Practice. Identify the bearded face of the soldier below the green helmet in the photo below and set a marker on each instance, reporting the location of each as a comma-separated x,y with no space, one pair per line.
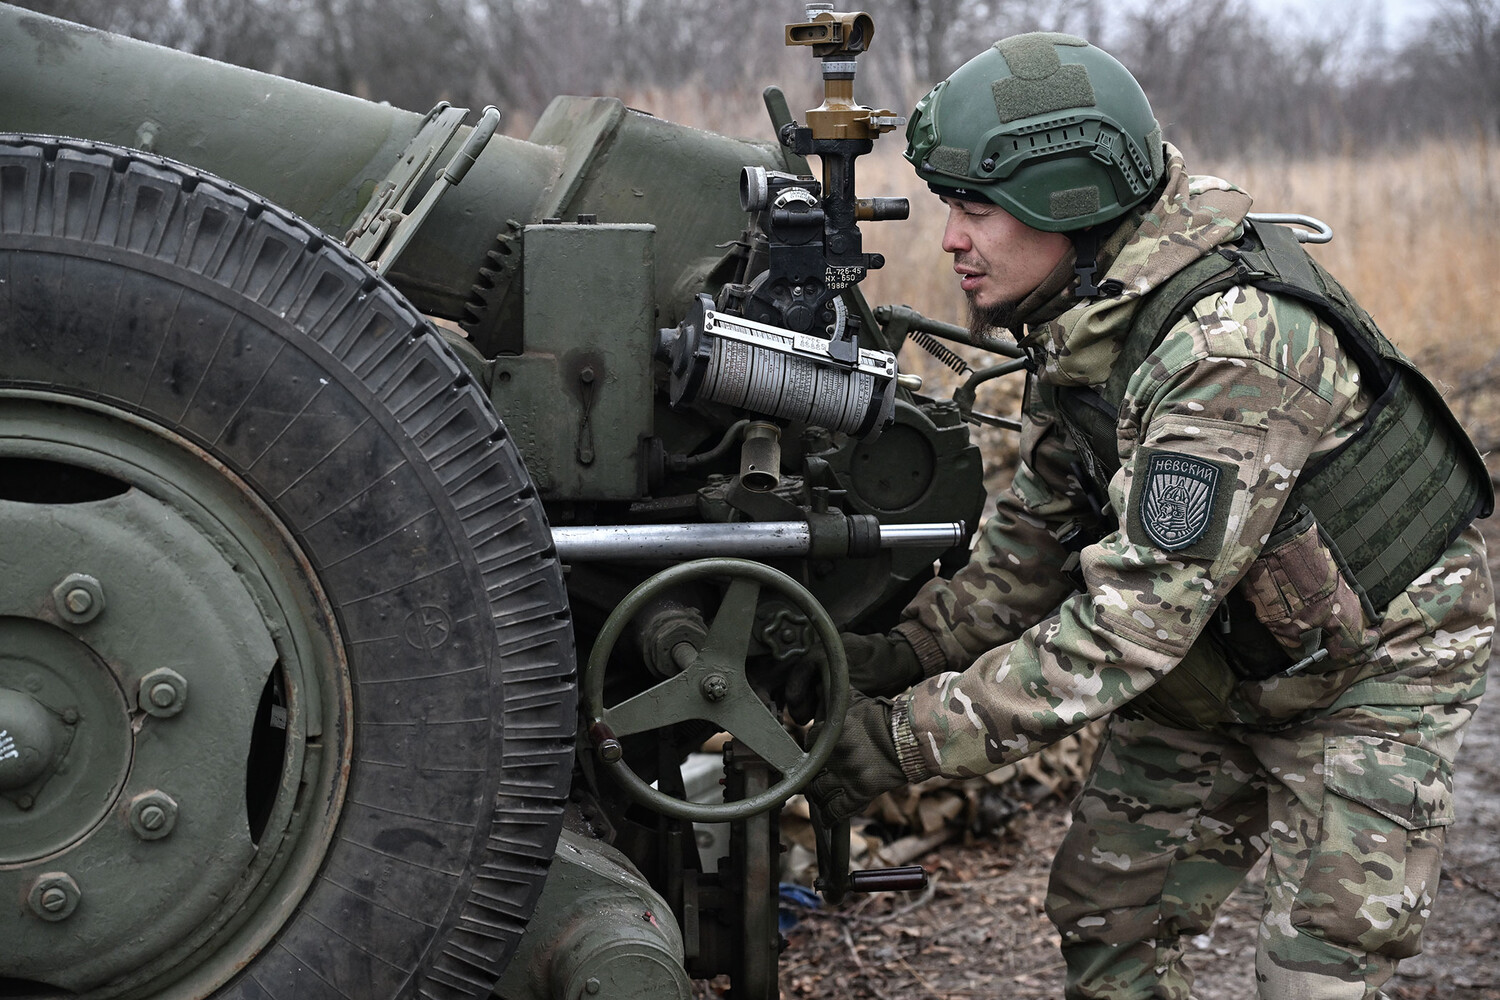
1000,260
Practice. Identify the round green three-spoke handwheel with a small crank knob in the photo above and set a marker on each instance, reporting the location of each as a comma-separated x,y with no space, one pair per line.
713,687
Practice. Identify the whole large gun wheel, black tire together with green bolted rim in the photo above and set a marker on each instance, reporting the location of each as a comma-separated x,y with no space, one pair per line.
287,684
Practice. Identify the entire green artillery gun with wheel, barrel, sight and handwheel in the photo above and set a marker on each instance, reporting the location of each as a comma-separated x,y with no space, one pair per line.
389,507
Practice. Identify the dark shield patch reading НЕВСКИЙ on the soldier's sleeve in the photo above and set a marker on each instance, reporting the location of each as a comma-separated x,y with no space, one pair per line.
1180,501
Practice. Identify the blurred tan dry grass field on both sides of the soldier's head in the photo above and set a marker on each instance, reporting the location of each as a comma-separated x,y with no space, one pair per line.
1415,239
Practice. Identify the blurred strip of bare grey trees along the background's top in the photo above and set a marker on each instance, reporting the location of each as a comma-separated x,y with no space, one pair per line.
1219,73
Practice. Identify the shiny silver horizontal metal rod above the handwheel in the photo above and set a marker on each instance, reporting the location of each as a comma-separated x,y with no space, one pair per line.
740,539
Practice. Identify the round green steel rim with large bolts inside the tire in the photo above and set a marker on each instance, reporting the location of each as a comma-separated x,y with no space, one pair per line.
166,654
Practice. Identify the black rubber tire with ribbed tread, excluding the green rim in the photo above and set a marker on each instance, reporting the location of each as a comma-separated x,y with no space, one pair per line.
196,305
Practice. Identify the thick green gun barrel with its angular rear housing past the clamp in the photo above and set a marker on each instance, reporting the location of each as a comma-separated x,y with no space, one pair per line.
323,154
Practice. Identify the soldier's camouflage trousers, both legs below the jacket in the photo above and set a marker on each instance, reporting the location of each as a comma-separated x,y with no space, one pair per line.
1351,806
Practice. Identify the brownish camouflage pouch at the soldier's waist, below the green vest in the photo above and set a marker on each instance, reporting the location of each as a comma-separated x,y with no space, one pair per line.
1300,594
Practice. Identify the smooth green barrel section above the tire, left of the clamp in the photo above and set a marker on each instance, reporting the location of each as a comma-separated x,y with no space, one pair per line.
265,133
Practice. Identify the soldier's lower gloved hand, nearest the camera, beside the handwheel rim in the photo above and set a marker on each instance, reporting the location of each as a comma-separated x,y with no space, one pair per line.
863,764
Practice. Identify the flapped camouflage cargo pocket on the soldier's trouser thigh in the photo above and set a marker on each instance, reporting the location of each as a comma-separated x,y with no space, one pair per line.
1373,872
